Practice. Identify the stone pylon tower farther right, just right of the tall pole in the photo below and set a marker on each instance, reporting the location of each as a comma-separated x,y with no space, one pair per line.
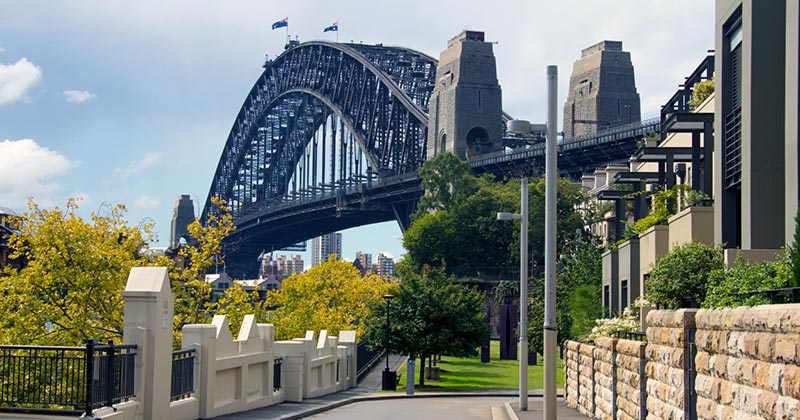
602,91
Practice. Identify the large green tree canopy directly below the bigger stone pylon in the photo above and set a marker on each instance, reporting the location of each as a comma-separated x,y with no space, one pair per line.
456,221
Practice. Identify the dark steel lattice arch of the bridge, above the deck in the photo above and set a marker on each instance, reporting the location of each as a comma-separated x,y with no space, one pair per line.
374,97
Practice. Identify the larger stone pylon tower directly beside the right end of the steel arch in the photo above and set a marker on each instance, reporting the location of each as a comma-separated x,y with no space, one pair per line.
466,116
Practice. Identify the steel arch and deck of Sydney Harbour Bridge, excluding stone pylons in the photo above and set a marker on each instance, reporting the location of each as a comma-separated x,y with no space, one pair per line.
331,135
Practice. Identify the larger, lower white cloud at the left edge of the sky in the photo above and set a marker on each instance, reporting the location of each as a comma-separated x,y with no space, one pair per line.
28,170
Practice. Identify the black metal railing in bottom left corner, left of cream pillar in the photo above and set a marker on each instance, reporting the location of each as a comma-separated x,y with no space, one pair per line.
65,379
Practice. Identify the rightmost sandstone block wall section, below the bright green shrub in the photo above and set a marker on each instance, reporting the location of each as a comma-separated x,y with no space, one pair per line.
748,362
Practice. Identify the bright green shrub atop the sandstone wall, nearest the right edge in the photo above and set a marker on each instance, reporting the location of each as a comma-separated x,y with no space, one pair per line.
728,288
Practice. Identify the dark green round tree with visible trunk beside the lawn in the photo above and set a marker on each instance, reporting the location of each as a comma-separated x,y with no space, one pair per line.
429,315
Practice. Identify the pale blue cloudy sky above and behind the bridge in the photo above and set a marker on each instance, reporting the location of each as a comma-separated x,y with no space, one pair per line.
131,101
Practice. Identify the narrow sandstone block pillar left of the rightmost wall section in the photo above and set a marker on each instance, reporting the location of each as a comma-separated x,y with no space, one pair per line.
666,369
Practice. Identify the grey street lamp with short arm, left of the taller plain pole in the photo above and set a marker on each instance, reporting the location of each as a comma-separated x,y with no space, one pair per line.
523,290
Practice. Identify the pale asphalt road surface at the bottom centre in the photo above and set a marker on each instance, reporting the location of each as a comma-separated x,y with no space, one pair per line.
478,408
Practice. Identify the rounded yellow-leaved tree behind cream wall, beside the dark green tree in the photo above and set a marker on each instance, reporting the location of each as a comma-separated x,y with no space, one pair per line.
332,296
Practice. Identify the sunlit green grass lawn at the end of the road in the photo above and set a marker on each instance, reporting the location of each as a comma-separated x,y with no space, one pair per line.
469,374
